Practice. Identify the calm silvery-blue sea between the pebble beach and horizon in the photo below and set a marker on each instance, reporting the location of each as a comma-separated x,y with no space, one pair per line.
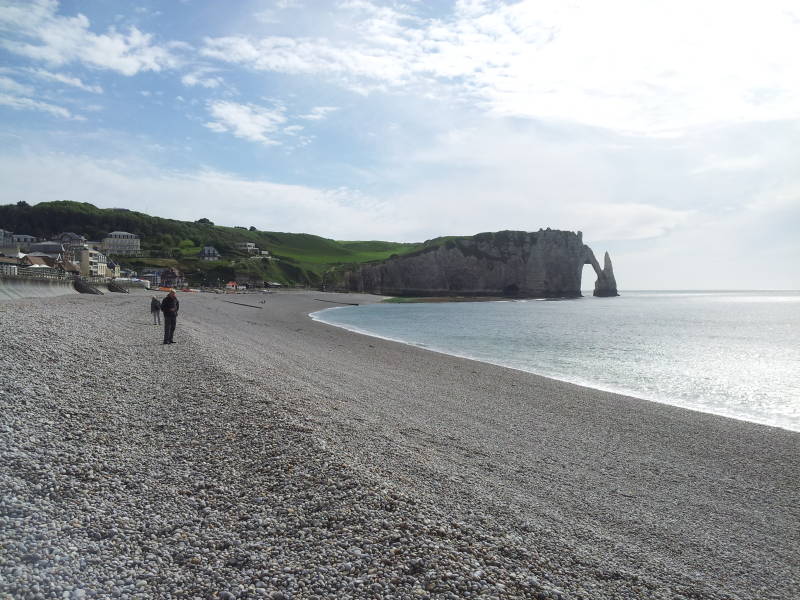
735,354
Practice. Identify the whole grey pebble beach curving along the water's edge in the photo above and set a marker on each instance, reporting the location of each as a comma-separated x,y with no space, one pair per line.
266,455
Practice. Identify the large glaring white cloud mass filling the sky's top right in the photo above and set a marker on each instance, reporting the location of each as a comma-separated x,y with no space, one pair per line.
648,68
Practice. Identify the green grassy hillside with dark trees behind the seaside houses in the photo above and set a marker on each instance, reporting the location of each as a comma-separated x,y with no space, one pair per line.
298,258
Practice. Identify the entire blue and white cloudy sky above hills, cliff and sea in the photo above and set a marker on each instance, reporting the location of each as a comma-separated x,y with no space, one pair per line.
667,132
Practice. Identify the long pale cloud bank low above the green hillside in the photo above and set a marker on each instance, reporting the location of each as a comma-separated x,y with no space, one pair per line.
221,197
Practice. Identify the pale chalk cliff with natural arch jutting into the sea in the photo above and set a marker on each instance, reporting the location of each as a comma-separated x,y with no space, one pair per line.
543,264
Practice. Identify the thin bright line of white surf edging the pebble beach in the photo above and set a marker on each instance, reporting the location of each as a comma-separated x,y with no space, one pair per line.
579,382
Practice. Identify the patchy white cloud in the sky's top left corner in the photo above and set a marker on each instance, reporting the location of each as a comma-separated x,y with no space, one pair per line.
60,40
